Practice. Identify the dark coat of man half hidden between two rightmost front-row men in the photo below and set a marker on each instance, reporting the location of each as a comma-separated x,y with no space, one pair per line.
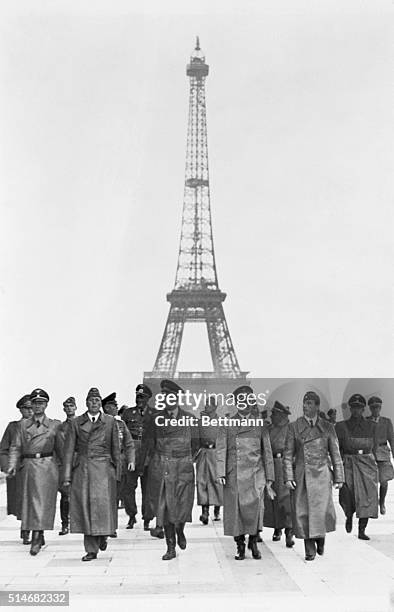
277,512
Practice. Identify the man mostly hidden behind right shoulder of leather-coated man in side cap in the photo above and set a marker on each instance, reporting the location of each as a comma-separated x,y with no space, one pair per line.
126,443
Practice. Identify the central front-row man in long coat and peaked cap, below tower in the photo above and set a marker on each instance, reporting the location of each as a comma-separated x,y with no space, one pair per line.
173,447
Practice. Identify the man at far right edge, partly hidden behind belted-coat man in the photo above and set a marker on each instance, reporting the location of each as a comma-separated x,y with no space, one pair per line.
385,434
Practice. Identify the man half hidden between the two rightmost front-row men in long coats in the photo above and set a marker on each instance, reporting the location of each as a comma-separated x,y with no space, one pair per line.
277,512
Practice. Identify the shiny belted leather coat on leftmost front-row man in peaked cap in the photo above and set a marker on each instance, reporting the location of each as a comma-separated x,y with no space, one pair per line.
39,476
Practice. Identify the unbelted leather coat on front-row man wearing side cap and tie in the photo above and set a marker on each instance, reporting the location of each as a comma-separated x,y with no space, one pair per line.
93,494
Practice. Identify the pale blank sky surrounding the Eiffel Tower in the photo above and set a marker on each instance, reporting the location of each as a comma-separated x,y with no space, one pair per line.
93,120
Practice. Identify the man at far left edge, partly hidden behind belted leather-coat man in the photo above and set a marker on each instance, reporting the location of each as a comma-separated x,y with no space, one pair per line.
14,483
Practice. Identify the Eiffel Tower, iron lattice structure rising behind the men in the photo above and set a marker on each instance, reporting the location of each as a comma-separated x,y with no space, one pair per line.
196,295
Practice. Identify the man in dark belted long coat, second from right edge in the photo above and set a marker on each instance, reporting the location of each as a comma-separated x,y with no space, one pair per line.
358,443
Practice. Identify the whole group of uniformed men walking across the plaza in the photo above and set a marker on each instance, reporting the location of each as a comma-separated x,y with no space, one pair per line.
279,475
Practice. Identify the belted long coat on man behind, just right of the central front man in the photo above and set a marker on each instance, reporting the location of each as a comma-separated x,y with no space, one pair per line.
209,489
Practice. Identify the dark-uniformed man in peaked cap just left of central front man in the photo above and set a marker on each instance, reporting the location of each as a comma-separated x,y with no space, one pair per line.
136,420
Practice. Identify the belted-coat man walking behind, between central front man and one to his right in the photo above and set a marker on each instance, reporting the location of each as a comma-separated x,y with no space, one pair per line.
209,489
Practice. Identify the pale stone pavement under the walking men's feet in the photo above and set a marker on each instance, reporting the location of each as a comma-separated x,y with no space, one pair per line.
352,576
